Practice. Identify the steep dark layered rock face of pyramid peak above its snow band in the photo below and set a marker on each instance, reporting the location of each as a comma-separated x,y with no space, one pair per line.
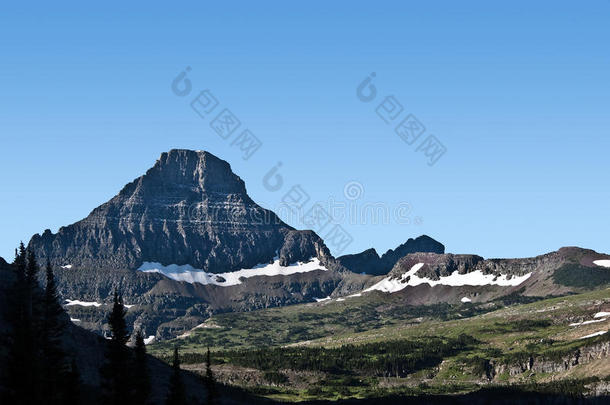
189,208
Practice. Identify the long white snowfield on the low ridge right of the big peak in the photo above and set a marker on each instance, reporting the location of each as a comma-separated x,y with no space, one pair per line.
475,278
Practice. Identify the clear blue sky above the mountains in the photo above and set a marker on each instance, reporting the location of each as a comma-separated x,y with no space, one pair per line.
517,92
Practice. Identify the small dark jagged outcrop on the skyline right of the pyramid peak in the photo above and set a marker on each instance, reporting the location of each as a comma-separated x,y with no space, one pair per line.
369,261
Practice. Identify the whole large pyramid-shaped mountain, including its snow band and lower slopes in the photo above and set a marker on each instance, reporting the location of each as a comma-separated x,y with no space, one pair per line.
191,213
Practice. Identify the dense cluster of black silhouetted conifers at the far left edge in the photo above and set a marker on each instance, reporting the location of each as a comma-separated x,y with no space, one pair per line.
38,370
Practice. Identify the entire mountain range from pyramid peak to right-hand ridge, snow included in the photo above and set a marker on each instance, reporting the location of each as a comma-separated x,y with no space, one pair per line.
184,241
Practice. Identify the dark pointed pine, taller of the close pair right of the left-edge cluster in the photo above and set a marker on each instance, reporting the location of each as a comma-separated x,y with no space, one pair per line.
115,371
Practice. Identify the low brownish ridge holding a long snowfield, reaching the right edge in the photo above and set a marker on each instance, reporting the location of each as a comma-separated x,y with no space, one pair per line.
426,277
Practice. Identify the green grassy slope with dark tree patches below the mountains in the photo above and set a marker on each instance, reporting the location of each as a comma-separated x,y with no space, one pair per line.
373,346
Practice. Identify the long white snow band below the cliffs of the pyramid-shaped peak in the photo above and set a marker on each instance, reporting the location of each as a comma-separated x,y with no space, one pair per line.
191,275
